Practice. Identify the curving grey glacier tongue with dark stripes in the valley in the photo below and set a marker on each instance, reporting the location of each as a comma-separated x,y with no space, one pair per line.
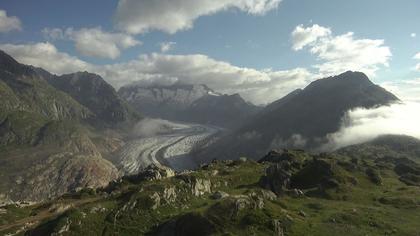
172,148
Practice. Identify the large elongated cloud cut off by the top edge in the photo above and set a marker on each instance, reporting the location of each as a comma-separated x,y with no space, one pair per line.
140,16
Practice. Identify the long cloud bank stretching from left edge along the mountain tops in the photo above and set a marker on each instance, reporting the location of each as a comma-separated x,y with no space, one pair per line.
257,86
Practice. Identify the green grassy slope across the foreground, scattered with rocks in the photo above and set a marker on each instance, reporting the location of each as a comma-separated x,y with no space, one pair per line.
362,208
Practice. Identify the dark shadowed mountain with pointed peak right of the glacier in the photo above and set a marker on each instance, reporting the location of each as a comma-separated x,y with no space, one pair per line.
303,118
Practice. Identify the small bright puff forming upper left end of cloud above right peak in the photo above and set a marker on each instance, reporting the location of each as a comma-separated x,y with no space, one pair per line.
302,37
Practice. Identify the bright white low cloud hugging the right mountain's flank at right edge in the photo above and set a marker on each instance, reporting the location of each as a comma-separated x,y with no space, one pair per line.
361,125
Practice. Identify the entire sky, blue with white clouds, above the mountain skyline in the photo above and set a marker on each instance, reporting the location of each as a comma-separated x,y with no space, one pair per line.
262,49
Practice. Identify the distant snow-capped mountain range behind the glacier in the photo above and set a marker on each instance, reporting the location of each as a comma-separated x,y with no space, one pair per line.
190,103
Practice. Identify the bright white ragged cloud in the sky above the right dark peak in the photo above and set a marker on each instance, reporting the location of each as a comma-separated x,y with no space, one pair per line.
343,52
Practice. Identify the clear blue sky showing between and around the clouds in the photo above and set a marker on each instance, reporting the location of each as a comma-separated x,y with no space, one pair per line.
231,34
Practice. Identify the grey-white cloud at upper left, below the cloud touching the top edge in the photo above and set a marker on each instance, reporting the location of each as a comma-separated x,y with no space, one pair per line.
94,42
